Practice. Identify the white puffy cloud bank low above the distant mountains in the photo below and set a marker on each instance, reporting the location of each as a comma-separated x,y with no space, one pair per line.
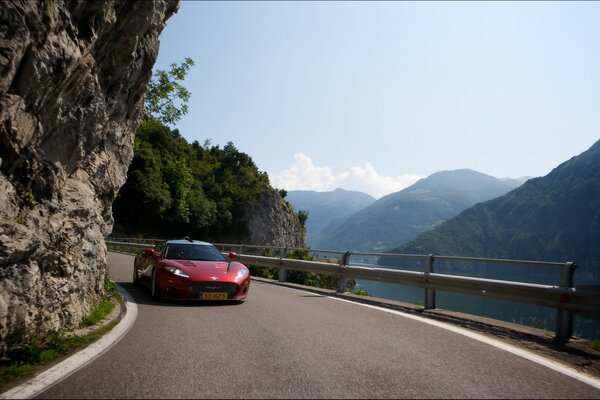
303,174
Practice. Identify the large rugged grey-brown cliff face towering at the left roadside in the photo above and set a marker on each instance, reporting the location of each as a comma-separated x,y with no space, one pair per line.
73,77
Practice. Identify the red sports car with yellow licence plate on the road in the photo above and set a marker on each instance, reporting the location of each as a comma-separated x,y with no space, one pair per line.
191,270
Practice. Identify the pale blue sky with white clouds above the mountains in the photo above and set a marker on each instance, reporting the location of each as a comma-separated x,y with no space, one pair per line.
372,96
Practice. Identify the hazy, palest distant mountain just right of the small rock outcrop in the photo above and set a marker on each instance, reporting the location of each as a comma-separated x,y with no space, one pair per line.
325,207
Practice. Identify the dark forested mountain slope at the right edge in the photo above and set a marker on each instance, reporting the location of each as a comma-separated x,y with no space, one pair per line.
553,218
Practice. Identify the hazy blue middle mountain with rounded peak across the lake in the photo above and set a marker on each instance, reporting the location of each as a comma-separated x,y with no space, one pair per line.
399,217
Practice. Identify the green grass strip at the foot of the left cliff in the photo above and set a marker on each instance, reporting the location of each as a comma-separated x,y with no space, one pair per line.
30,352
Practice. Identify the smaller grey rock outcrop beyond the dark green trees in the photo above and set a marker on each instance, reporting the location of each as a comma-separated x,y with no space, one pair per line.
272,222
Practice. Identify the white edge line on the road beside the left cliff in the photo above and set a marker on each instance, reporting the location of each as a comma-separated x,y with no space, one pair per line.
60,371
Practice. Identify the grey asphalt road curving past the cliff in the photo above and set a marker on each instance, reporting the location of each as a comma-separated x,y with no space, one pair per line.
285,343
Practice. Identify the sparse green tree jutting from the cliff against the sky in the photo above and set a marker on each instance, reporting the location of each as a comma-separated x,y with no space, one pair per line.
166,99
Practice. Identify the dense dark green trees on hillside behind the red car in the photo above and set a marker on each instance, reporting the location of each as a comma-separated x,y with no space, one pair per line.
175,188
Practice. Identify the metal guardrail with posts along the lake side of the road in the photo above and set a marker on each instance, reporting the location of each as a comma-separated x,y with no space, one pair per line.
564,297
